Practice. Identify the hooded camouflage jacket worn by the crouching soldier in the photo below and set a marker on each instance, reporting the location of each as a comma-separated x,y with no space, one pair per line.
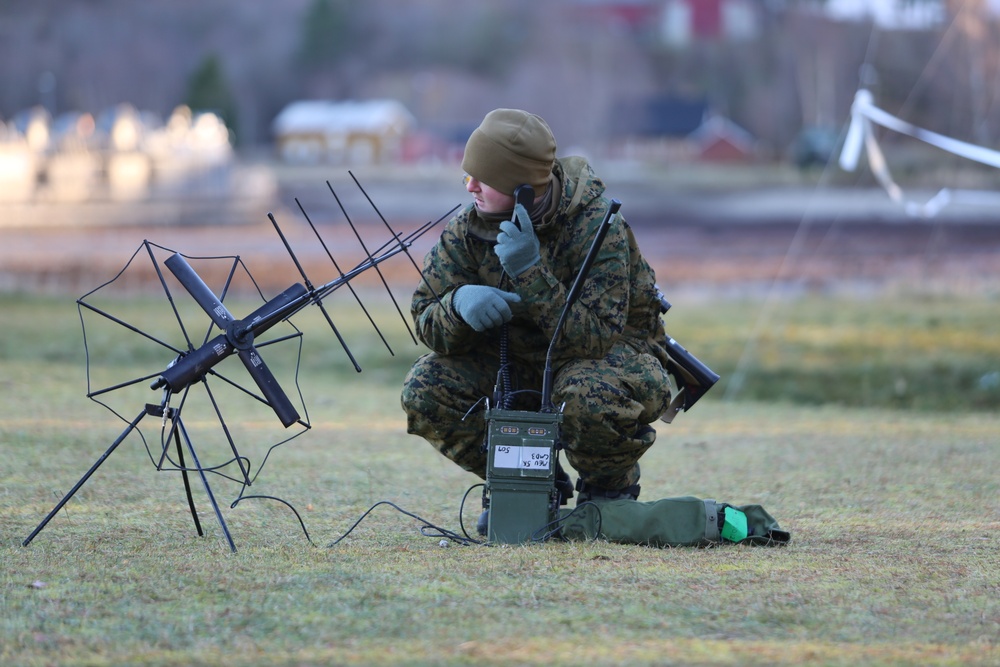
618,301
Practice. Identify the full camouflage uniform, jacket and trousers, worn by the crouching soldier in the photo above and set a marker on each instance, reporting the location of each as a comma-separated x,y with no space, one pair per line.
608,361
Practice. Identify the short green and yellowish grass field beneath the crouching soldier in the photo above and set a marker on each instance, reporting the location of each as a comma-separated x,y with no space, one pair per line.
868,429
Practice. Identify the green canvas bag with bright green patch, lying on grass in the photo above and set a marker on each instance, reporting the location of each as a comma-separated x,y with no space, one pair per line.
671,522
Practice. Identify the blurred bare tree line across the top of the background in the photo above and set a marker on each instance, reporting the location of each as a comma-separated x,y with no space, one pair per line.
576,62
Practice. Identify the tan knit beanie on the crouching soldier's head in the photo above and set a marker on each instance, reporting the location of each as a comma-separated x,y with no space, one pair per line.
511,147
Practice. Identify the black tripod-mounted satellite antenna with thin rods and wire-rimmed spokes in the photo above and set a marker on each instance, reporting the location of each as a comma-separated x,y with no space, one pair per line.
237,336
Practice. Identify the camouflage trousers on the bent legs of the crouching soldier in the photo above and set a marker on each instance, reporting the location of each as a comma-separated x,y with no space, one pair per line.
609,406
